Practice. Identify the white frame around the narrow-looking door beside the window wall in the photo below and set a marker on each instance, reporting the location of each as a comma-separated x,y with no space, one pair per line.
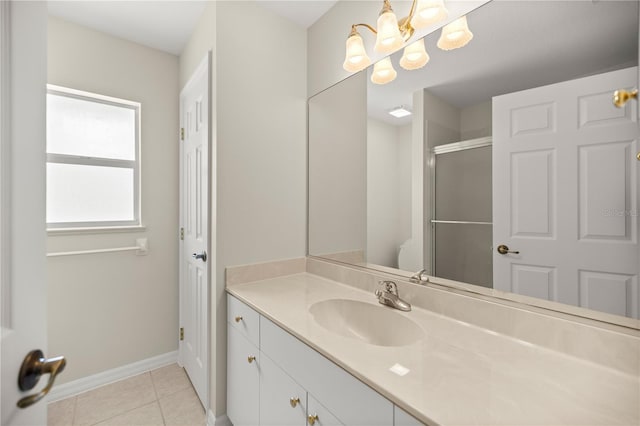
206,62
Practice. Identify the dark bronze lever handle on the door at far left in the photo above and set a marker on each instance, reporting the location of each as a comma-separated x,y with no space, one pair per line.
33,367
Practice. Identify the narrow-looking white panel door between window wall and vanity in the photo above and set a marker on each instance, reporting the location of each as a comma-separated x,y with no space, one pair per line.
195,256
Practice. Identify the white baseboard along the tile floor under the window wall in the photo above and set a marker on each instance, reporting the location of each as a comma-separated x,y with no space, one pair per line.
91,382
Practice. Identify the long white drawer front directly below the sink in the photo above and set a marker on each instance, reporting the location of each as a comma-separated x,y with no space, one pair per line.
325,380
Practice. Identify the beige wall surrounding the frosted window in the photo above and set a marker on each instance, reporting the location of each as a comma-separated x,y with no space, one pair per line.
109,310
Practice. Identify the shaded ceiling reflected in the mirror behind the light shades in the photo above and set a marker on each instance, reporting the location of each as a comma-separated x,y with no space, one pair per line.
518,45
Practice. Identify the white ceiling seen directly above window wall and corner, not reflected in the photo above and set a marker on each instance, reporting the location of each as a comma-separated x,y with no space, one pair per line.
166,25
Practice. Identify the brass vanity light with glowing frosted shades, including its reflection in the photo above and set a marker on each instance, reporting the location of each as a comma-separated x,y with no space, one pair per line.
391,34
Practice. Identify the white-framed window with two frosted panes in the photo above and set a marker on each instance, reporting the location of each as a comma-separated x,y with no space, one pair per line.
93,161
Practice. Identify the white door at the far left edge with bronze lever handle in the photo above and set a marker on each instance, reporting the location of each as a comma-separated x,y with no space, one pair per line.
23,300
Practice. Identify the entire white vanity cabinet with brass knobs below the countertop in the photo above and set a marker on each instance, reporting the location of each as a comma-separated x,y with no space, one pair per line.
275,379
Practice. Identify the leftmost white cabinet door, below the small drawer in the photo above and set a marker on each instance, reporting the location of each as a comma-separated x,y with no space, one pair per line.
243,390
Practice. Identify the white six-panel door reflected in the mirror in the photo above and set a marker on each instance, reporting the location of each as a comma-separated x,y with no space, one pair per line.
565,193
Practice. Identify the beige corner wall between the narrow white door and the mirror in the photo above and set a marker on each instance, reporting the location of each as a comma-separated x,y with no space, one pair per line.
259,138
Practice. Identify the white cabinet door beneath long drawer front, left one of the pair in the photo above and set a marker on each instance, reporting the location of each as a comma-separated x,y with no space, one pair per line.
282,401
